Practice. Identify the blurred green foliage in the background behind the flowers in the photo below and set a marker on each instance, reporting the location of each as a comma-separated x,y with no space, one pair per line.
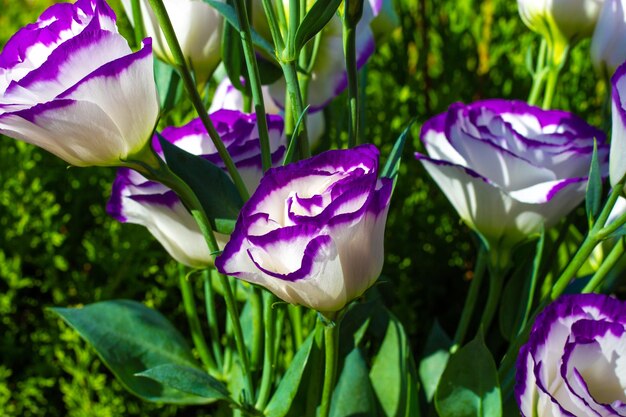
59,248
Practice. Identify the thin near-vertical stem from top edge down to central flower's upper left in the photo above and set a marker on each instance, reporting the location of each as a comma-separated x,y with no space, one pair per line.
255,82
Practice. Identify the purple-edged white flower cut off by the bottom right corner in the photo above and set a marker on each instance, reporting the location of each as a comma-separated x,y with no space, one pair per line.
574,363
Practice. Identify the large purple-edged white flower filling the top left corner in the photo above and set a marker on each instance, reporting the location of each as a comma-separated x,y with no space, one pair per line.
70,84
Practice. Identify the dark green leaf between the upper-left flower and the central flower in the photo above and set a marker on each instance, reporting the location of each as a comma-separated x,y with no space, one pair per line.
211,184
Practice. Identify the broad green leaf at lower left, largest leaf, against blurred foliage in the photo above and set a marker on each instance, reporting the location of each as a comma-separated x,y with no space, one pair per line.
130,338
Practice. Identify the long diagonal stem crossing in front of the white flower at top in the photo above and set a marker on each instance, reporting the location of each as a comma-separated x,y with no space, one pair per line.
196,100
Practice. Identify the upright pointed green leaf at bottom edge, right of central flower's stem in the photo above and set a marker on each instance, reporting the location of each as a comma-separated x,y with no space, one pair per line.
353,395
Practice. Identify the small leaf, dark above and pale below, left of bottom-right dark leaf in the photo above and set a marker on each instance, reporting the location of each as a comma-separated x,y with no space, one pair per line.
434,359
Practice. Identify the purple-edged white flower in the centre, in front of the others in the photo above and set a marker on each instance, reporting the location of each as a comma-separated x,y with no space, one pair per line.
312,233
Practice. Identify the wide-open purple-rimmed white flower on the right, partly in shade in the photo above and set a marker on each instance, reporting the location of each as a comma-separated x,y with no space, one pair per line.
508,168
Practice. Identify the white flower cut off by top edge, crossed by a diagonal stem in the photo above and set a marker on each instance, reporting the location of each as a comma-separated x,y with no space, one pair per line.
198,28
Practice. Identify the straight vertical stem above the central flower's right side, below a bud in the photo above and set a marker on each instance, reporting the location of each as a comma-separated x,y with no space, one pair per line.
349,47
